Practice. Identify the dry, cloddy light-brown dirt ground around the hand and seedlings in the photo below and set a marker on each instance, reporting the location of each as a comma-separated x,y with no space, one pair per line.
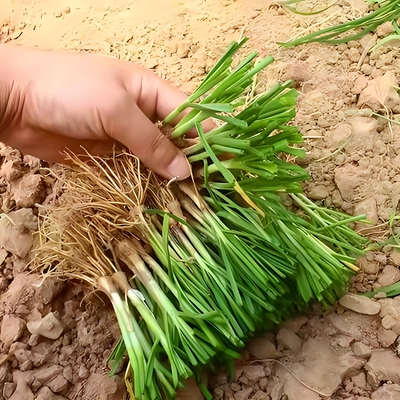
54,343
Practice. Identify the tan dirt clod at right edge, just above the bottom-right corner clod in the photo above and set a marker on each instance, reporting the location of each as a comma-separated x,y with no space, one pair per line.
384,365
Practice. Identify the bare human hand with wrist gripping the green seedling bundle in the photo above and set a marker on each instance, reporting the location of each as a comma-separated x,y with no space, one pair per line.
50,102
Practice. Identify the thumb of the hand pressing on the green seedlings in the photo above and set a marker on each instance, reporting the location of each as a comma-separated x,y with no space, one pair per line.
133,129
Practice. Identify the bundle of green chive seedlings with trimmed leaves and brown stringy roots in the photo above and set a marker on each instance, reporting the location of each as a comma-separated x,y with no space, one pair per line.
195,268
